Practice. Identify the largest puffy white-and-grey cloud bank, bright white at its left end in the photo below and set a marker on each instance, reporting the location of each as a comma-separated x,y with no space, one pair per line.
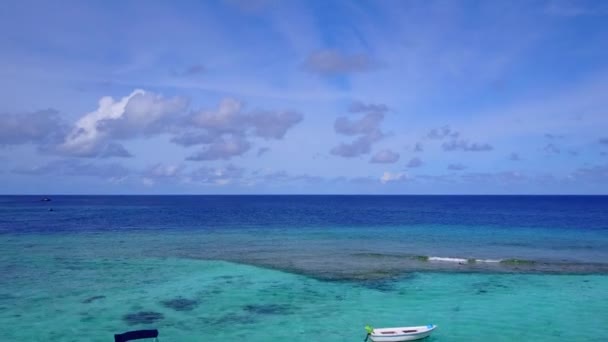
224,132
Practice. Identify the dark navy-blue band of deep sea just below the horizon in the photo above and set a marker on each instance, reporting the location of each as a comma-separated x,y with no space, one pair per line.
78,213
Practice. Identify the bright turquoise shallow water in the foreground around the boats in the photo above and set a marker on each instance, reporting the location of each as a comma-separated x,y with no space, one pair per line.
91,284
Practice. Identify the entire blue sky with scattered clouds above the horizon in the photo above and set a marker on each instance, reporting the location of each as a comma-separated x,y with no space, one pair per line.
303,97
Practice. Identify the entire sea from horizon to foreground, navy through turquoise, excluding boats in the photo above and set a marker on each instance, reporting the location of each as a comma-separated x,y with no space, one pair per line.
303,268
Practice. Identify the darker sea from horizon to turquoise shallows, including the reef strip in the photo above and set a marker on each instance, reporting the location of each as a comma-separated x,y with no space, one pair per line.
544,233
